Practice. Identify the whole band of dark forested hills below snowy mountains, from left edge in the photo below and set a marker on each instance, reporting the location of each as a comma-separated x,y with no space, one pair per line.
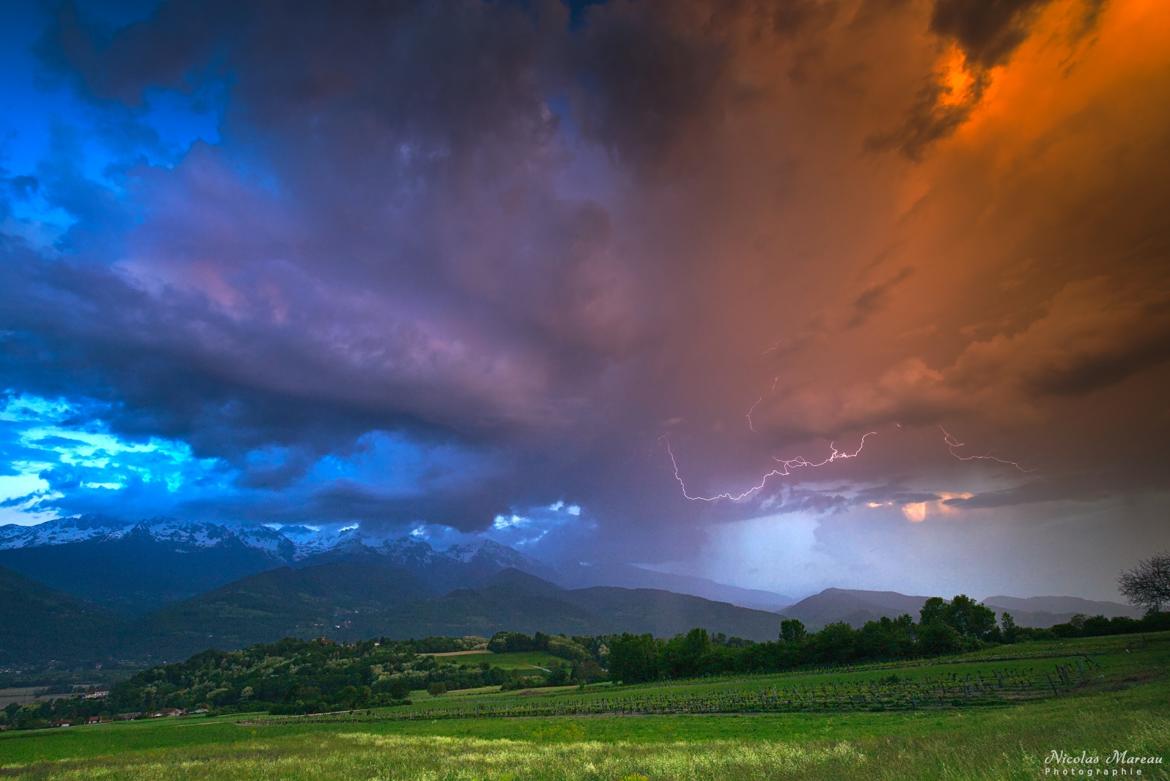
347,600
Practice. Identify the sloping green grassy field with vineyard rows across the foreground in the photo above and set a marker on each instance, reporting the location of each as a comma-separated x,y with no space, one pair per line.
1117,699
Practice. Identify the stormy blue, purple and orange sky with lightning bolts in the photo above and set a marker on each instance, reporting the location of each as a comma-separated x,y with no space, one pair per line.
869,294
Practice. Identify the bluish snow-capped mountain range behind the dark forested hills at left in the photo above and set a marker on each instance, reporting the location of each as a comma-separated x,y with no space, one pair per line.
140,566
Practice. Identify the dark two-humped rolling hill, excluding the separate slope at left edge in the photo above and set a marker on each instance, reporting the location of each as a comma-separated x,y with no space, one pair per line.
352,600
